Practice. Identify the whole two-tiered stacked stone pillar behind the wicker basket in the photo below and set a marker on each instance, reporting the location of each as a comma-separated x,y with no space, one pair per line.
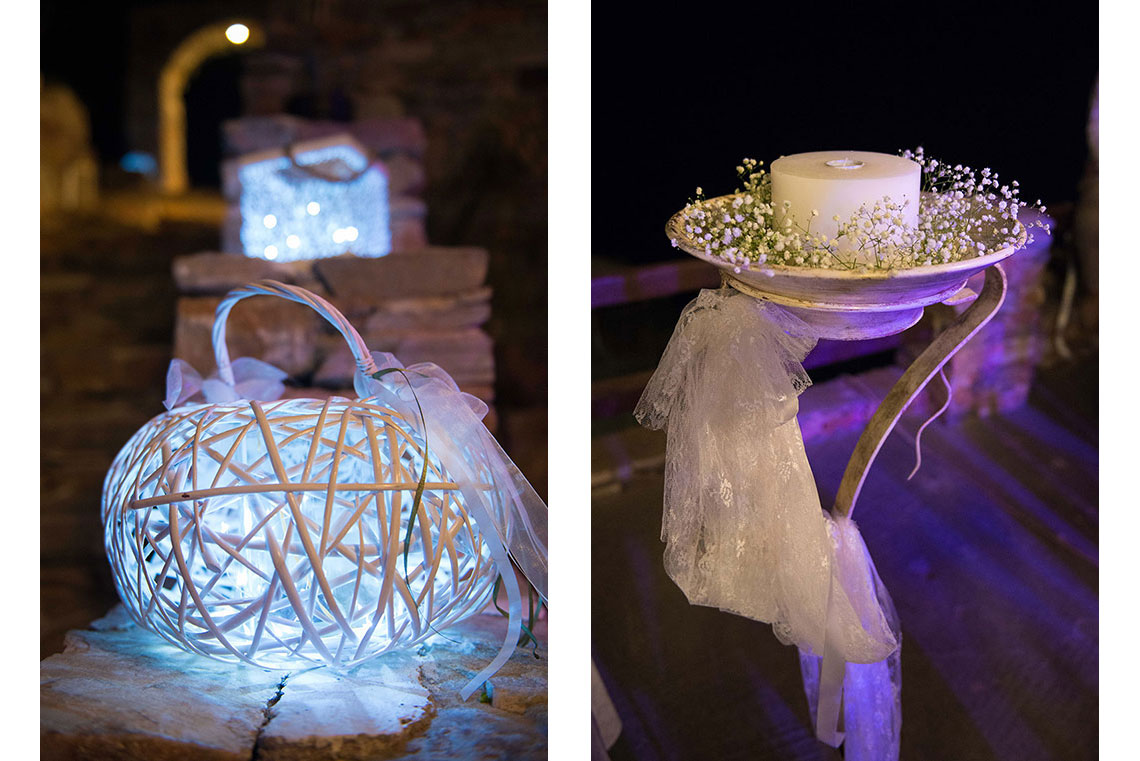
422,304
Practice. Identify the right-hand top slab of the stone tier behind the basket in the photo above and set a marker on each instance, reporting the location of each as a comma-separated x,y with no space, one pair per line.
434,272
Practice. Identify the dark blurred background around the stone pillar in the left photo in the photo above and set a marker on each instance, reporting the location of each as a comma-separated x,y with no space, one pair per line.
471,77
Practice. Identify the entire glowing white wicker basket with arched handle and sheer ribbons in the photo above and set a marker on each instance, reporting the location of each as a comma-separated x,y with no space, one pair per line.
304,531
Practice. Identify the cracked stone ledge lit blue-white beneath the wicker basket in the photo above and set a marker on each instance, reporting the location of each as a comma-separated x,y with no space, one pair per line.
119,692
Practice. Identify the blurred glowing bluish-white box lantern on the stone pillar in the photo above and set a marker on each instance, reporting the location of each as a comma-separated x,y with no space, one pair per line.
314,200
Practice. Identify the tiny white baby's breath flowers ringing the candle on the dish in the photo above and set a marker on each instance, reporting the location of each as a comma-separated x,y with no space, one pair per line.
964,215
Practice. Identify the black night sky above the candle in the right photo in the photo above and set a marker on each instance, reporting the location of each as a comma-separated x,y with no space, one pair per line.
681,97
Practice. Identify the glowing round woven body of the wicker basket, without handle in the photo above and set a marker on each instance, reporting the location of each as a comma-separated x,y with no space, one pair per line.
451,576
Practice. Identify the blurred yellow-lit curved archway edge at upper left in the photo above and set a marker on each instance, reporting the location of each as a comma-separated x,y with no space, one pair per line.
188,58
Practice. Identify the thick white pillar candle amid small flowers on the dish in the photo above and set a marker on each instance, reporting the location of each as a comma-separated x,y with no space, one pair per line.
838,183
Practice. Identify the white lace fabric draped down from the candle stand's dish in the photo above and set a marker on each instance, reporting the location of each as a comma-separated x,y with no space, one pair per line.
743,525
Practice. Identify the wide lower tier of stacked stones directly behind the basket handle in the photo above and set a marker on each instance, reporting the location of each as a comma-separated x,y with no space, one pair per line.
428,306
